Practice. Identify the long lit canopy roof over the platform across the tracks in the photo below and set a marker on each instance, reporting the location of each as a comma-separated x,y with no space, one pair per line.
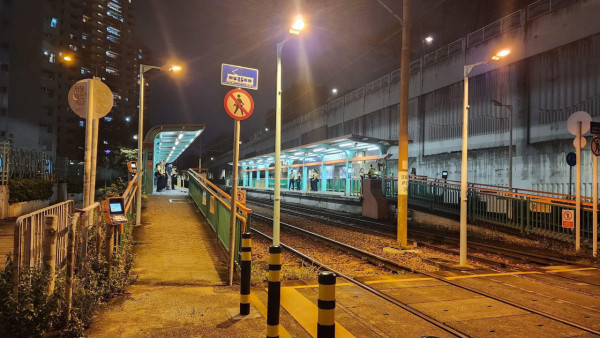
342,146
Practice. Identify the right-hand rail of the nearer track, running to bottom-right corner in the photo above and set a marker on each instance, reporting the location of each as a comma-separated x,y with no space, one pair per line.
386,262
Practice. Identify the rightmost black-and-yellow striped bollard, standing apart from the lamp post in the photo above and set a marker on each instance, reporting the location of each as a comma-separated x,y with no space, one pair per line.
326,319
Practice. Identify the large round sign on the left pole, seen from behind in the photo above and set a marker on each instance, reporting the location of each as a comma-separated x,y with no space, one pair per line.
78,100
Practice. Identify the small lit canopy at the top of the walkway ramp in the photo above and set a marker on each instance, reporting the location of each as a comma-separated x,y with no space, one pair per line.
171,140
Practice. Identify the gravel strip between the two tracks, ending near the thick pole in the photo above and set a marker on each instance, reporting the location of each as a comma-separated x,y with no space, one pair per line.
370,242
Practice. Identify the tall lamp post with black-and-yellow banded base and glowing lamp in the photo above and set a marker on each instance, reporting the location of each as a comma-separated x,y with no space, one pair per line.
275,251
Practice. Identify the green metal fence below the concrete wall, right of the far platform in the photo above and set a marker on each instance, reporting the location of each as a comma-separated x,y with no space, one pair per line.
526,211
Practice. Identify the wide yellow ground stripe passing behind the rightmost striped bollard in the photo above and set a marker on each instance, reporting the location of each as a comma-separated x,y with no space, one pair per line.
306,313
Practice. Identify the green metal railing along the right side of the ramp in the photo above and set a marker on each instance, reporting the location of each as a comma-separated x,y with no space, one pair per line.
215,205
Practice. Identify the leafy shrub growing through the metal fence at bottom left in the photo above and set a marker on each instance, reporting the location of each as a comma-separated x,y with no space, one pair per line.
38,314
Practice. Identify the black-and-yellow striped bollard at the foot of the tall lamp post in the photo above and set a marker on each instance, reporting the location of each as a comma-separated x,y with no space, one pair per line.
274,290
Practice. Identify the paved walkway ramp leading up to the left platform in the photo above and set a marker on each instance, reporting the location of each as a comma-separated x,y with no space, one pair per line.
180,291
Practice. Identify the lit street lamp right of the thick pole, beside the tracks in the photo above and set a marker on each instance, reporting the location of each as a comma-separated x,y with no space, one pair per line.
463,169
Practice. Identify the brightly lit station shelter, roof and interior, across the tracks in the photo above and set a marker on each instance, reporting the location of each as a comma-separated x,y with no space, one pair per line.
337,162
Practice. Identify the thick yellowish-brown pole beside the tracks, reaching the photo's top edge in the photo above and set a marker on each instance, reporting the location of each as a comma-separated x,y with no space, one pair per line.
403,129
